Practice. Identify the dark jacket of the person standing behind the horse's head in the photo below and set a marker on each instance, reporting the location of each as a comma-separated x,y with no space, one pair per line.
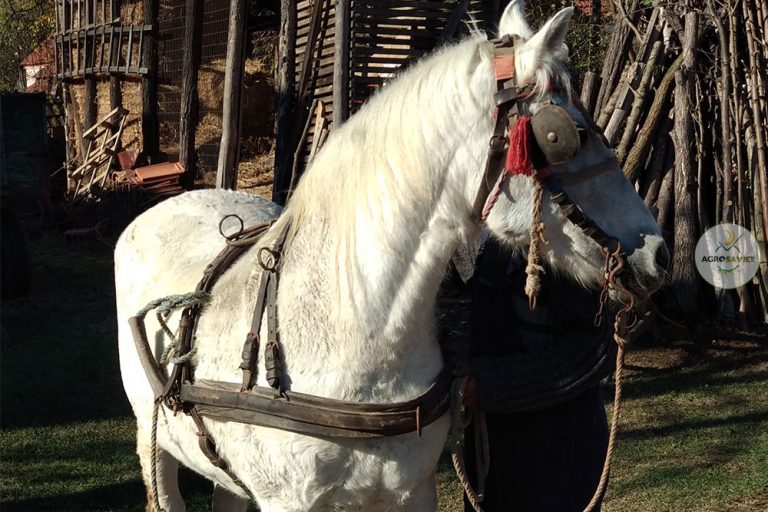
525,360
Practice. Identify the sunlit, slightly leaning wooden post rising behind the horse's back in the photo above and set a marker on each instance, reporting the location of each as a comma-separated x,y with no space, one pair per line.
226,176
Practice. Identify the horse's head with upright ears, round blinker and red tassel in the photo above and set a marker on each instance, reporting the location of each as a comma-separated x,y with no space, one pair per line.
582,181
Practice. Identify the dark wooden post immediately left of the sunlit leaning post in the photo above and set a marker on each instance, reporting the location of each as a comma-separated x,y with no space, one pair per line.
189,94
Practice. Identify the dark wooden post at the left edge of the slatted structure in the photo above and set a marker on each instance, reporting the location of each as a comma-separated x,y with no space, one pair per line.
286,93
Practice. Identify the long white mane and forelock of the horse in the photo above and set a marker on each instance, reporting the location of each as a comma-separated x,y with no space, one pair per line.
394,173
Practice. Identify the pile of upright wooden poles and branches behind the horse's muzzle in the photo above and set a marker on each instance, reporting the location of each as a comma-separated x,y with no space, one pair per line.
682,97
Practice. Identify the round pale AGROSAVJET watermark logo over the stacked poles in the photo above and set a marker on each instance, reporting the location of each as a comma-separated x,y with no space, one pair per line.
727,256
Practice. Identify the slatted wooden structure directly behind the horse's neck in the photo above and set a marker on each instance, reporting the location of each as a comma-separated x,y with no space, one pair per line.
340,51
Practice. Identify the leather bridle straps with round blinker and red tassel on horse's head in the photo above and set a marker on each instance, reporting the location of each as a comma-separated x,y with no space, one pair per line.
547,138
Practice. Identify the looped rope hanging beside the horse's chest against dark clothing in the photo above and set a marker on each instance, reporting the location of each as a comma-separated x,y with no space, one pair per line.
460,419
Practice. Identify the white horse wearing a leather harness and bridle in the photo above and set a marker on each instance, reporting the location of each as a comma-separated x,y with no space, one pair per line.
373,222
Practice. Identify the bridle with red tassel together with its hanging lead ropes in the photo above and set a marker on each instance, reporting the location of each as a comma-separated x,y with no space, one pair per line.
530,145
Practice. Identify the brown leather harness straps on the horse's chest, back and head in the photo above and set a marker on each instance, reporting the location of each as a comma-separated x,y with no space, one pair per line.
277,407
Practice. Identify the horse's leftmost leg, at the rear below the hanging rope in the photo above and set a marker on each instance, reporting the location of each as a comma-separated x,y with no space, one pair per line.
167,471
